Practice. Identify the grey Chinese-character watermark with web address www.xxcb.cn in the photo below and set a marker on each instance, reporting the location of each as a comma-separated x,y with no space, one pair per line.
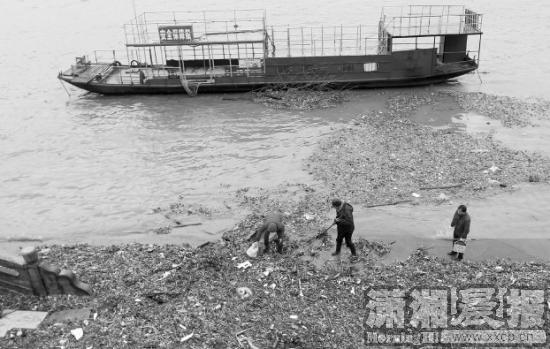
475,315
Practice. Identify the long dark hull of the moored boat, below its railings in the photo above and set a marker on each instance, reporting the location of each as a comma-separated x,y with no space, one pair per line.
404,68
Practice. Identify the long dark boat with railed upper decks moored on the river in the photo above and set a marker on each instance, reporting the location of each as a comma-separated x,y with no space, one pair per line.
190,52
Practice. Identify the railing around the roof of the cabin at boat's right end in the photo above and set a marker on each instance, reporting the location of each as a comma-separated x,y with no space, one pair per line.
430,20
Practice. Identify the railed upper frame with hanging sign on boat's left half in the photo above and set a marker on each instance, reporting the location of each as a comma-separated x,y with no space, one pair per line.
159,37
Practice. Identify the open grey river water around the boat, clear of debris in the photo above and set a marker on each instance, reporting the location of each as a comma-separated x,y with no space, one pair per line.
88,165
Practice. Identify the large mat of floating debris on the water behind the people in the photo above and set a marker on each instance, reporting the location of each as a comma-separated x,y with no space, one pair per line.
385,158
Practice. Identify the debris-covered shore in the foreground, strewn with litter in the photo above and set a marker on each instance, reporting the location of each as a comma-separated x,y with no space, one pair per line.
215,297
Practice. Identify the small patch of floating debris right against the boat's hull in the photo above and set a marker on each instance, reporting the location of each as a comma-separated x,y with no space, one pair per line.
300,98
